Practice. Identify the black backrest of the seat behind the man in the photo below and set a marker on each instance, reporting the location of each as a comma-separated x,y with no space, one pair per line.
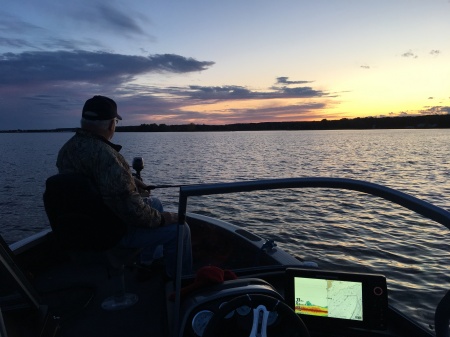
78,216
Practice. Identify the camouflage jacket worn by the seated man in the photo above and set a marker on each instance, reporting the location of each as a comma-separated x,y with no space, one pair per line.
101,161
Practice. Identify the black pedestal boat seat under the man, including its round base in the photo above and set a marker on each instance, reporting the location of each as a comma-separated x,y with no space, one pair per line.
89,231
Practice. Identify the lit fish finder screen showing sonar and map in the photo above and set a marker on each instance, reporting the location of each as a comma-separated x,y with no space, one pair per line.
328,298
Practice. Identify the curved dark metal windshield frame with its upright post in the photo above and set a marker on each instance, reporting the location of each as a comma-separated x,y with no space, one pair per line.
419,206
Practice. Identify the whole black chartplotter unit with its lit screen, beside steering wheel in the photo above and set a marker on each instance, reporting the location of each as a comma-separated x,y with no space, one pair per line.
337,298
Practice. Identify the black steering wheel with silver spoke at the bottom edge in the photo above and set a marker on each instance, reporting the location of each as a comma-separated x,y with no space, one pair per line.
290,324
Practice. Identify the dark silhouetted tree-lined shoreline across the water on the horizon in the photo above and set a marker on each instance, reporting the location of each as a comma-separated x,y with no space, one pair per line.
404,122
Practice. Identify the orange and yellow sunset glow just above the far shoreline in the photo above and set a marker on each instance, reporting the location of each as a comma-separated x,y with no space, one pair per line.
285,110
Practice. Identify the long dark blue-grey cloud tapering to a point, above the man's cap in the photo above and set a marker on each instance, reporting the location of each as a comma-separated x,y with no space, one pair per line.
91,67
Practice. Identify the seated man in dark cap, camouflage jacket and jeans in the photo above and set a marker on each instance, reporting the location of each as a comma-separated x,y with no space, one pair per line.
91,153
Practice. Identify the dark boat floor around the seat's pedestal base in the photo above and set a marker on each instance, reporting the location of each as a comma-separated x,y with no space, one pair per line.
75,293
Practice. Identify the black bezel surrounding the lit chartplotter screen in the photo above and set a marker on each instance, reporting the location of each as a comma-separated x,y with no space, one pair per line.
374,306
